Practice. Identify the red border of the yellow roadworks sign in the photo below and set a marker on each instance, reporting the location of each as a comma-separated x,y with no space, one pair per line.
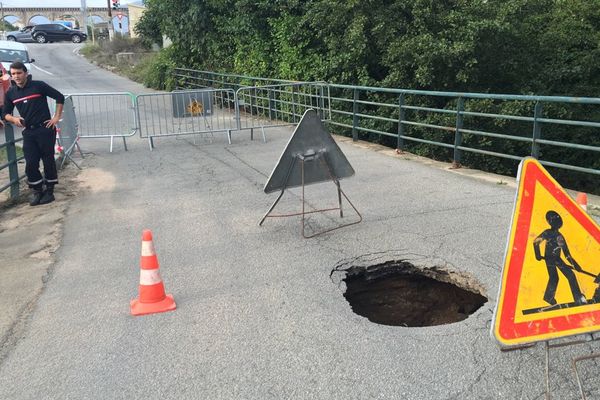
505,329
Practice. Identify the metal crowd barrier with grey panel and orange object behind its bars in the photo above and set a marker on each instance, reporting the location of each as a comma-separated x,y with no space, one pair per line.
186,112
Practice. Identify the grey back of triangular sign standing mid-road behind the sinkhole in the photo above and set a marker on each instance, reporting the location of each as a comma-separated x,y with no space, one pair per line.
310,139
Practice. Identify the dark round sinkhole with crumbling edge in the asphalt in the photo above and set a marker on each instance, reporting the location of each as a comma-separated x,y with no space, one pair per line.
397,293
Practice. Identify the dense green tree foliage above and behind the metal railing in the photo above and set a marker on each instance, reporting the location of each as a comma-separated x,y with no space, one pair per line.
542,47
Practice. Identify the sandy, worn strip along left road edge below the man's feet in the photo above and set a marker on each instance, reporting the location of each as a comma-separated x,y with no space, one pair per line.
36,258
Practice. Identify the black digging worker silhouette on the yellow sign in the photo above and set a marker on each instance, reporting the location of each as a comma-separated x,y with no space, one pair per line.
556,245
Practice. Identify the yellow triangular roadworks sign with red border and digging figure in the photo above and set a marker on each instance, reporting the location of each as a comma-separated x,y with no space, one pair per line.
550,285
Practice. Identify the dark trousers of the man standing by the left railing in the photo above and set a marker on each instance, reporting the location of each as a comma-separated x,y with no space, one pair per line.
38,144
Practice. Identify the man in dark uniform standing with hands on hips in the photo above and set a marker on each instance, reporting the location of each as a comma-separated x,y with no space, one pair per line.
39,135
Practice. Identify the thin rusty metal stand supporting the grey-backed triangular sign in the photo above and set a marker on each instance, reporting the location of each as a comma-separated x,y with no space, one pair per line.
320,157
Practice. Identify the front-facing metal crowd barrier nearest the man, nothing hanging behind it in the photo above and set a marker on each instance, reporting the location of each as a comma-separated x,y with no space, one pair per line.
105,115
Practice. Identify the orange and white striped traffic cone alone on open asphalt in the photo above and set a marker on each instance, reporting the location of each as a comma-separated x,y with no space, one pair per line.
152,298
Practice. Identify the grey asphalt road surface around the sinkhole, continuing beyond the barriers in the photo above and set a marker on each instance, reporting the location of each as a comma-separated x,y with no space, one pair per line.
258,314
